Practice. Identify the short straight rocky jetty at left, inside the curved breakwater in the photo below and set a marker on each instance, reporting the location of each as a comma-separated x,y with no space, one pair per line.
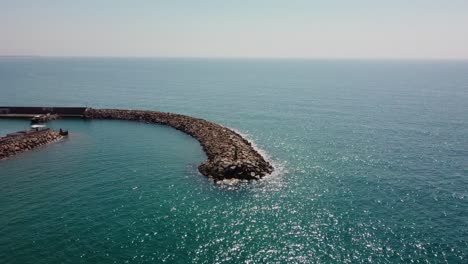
22,141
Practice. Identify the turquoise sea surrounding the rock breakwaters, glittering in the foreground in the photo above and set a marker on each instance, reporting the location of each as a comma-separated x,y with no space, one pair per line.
371,159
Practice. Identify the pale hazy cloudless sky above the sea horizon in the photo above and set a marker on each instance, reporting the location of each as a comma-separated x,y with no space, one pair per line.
367,29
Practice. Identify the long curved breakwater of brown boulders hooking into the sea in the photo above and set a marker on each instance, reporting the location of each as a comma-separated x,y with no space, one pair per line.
230,156
